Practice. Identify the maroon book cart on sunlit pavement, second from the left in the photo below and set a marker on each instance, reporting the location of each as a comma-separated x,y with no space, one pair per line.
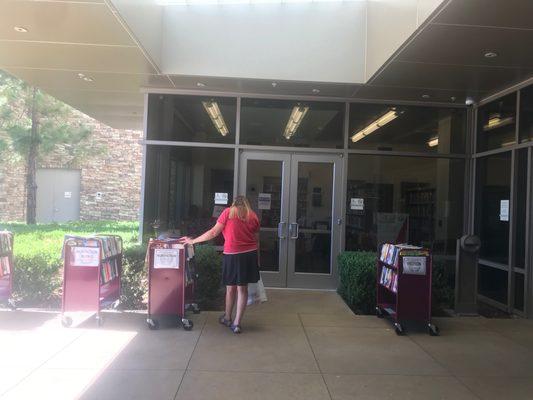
91,275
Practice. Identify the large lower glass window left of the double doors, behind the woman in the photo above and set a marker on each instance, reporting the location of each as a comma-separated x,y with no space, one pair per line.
180,188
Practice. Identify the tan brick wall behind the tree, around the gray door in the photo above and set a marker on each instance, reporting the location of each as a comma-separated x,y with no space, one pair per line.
114,172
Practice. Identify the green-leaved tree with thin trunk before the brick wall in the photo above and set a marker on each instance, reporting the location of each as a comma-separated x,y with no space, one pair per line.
35,125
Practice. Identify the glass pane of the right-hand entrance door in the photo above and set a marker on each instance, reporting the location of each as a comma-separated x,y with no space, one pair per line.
314,203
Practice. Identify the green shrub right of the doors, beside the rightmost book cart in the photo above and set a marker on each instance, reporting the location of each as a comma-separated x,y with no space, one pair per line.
357,286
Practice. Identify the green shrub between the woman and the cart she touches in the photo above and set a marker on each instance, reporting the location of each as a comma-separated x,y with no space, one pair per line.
208,263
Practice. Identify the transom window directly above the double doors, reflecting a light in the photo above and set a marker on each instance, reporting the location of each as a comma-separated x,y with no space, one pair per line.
292,123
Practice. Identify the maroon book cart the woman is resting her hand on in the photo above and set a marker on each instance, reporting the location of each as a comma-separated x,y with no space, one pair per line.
171,282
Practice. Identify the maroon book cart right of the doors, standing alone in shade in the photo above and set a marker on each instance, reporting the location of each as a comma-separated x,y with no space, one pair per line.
404,286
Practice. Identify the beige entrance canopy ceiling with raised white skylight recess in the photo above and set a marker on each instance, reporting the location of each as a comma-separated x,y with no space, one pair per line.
99,55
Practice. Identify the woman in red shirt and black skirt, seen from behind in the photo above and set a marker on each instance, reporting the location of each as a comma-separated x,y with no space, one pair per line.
240,227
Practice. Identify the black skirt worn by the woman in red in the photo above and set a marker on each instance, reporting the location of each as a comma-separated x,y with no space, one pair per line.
240,269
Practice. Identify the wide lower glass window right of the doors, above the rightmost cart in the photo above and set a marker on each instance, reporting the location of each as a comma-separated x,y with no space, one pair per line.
405,199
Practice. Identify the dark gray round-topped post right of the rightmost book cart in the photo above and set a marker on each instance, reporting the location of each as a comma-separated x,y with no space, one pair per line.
466,274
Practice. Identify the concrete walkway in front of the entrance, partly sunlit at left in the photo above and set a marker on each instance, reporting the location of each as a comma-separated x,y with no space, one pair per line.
299,345
